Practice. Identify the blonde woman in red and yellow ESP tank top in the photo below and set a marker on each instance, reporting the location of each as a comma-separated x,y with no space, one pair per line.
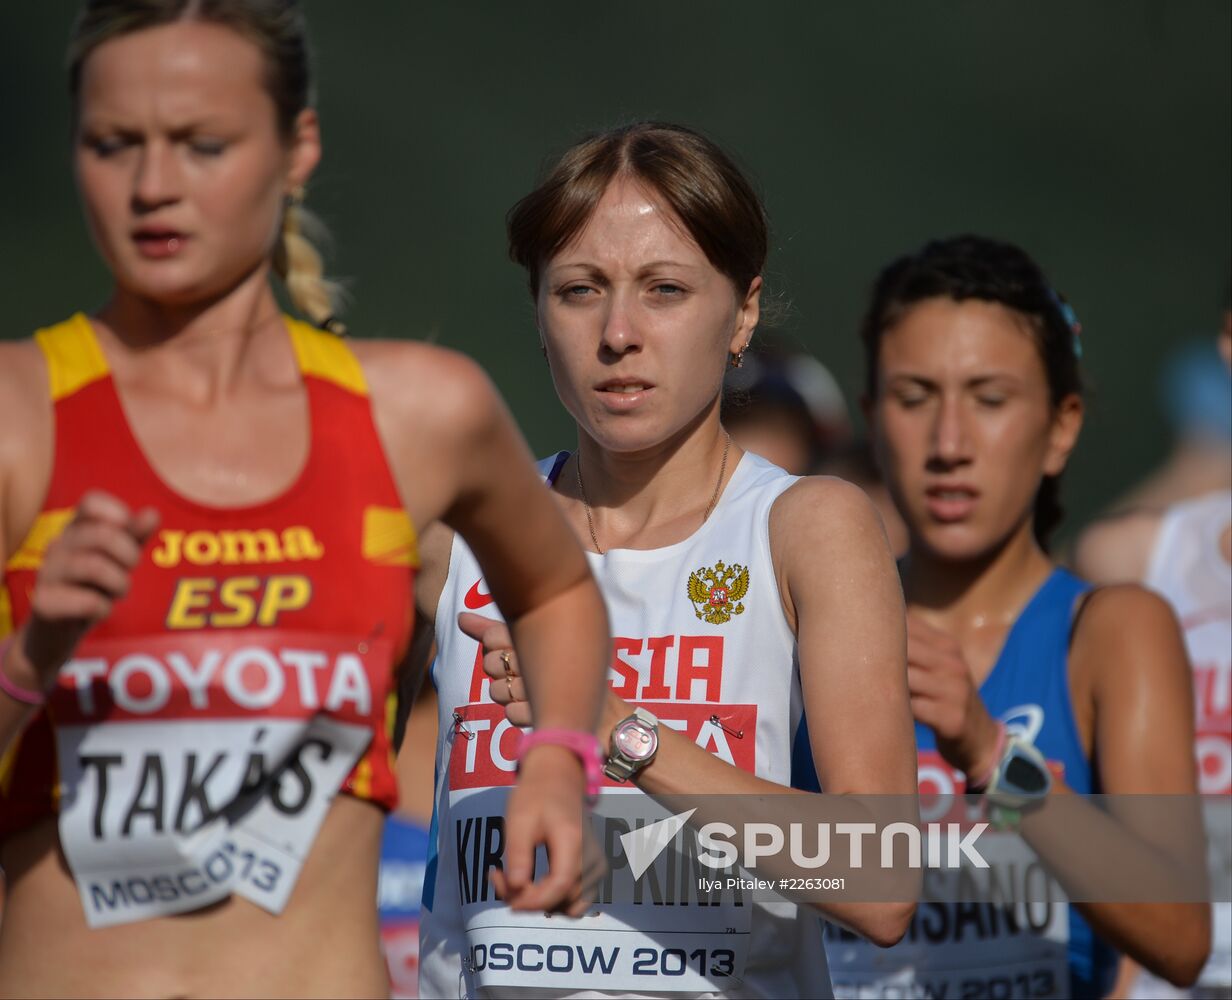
208,525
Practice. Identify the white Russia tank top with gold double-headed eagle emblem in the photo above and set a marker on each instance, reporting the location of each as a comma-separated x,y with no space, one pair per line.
729,655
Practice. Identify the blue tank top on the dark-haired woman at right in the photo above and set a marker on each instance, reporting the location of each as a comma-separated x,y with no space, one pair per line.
1028,689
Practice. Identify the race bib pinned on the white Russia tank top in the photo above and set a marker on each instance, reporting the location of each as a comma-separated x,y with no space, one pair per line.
660,932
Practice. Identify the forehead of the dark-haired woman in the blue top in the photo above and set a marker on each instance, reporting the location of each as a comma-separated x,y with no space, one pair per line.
965,339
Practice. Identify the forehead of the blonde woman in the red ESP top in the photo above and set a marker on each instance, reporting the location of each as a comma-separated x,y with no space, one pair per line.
173,75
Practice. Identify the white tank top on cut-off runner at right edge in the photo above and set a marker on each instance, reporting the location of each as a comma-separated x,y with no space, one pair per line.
1188,568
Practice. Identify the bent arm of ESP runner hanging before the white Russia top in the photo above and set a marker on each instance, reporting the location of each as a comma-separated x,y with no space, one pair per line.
539,577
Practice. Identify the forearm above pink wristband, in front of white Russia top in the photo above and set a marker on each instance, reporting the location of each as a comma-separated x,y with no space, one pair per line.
564,648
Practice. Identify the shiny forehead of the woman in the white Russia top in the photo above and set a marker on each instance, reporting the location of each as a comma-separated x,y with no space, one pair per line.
631,225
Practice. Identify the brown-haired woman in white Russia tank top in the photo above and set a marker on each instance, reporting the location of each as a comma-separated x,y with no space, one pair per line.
740,597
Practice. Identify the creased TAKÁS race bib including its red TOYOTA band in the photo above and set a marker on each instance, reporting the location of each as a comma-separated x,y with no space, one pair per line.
201,765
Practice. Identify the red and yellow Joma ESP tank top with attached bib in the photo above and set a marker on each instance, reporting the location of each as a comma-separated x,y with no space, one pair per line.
194,743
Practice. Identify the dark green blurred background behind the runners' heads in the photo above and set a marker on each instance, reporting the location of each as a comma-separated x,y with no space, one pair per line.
1097,135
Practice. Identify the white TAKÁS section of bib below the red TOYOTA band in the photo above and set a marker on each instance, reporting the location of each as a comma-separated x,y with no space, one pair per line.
151,831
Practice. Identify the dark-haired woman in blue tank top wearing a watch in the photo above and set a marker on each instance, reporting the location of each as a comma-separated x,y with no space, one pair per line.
1019,673
